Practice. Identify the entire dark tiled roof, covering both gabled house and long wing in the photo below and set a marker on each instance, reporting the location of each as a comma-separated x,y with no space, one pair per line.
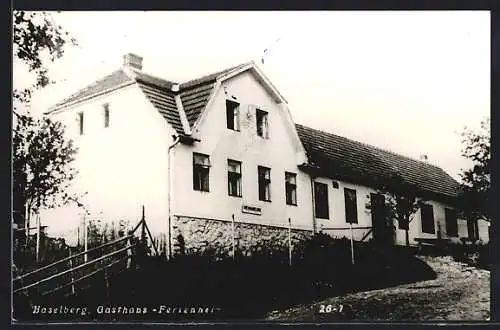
335,156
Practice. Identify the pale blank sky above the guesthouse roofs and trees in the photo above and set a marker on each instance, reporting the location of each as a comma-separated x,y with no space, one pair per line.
403,81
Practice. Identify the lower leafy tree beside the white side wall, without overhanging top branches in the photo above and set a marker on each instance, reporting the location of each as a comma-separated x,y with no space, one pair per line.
42,165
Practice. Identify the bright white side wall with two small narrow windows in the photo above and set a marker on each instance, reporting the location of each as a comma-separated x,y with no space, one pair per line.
123,166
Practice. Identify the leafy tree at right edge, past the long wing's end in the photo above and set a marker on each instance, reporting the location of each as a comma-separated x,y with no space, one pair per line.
476,181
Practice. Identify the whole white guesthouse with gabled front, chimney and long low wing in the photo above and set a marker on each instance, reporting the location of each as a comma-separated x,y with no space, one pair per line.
199,153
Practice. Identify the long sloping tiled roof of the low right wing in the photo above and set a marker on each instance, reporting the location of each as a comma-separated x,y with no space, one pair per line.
357,162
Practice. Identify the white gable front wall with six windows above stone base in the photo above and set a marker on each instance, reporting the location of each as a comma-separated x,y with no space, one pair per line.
221,143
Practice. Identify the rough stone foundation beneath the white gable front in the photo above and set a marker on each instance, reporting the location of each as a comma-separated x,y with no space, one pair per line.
195,236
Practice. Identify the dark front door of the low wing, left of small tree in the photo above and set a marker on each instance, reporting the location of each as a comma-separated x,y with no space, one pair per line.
382,229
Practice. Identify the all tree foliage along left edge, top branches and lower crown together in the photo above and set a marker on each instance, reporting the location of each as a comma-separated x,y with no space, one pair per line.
42,156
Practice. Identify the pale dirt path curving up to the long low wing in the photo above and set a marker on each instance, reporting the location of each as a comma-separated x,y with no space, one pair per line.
458,293
